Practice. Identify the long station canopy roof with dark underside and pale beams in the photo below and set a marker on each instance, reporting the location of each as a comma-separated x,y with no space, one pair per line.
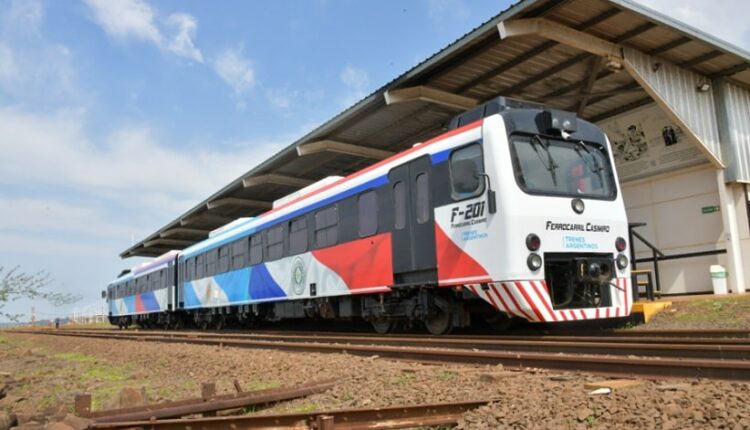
481,65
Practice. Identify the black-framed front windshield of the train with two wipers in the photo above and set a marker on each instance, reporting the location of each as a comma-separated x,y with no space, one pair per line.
562,167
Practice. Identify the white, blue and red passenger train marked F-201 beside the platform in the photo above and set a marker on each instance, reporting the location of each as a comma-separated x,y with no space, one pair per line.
514,212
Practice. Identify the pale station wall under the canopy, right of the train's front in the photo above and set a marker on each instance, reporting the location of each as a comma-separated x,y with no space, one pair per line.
672,205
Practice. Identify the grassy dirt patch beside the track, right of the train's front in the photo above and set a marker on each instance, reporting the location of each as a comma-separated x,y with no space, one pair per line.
717,312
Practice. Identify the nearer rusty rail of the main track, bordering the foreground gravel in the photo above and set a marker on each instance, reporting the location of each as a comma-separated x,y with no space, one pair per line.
606,365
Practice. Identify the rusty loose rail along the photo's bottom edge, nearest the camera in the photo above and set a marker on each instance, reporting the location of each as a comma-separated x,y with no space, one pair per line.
342,419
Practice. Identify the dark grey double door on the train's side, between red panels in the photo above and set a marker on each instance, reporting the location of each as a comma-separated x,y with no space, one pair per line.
413,237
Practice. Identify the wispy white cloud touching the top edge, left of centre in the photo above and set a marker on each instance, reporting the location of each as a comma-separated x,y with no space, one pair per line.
136,19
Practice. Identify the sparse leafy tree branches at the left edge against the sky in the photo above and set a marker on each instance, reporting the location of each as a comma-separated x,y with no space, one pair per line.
15,284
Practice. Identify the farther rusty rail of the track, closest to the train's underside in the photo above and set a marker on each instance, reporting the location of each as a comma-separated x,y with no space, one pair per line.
584,345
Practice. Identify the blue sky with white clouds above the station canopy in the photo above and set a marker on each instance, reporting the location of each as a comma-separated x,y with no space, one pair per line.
116,116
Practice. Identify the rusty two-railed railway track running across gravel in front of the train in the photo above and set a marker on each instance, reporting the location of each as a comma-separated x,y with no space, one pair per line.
618,355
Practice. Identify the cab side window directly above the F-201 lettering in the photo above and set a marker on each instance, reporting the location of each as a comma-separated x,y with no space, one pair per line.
466,167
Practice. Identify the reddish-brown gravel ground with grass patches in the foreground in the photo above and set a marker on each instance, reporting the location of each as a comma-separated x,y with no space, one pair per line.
45,372
